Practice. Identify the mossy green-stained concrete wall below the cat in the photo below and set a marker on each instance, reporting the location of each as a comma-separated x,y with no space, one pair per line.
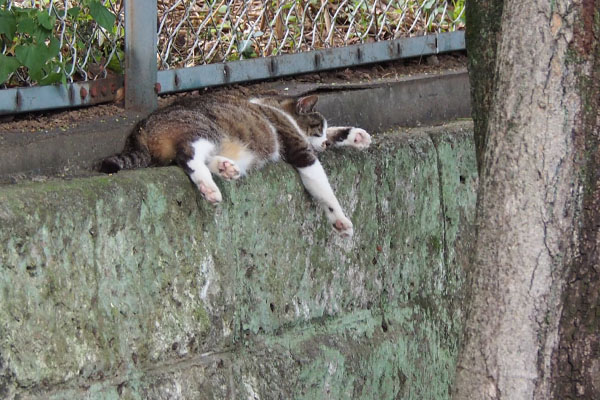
132,287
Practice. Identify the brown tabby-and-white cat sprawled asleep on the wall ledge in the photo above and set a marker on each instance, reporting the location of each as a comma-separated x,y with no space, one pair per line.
228,136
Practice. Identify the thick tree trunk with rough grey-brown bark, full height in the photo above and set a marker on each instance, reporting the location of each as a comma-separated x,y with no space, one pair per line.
532,329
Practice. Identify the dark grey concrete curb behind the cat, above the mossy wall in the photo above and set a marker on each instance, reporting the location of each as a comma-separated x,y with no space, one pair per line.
408,101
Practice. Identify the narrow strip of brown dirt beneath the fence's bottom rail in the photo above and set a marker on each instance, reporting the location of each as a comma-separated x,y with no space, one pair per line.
44,121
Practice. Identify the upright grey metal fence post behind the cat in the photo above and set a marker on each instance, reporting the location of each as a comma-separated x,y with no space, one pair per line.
140,55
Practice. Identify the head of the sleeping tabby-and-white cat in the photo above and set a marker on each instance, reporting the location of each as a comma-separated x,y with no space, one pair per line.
311,121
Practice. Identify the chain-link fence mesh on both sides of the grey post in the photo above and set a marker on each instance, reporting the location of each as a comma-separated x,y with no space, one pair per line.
48,41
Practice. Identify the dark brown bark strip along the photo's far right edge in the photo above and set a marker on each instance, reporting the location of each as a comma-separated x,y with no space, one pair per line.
576,362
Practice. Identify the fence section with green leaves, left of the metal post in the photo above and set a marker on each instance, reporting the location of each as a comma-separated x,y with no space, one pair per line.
48,41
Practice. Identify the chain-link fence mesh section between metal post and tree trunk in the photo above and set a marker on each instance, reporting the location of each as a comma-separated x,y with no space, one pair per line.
202,32
